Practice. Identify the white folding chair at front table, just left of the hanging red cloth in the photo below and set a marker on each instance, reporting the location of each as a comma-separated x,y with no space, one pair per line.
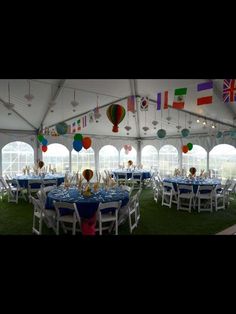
72,217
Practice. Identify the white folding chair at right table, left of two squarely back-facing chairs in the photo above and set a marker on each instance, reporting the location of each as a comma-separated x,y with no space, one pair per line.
185,197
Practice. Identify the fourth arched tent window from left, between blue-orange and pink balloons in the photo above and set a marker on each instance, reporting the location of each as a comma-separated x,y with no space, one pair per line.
108,158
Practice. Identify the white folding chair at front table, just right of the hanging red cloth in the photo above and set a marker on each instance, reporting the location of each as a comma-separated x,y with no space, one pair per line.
110,216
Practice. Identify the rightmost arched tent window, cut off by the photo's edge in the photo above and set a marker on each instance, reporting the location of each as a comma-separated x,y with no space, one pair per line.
222,161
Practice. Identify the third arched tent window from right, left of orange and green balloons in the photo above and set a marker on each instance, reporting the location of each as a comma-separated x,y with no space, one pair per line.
168,160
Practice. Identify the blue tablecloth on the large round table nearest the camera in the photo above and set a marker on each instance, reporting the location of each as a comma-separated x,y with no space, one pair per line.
87,206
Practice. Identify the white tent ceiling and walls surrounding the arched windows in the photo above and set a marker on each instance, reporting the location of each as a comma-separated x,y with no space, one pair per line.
52,103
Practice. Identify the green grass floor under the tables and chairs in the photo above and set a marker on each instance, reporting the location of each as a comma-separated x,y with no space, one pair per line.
16,219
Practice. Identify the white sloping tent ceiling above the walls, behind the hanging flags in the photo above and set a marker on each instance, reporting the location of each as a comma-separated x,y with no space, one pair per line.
108,91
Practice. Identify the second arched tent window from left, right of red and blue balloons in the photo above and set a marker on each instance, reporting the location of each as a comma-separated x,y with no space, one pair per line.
57,156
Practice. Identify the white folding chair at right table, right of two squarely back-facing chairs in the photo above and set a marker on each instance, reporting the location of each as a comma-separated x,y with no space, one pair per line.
205,197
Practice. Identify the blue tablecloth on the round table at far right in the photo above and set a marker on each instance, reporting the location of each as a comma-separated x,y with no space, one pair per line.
194,182
